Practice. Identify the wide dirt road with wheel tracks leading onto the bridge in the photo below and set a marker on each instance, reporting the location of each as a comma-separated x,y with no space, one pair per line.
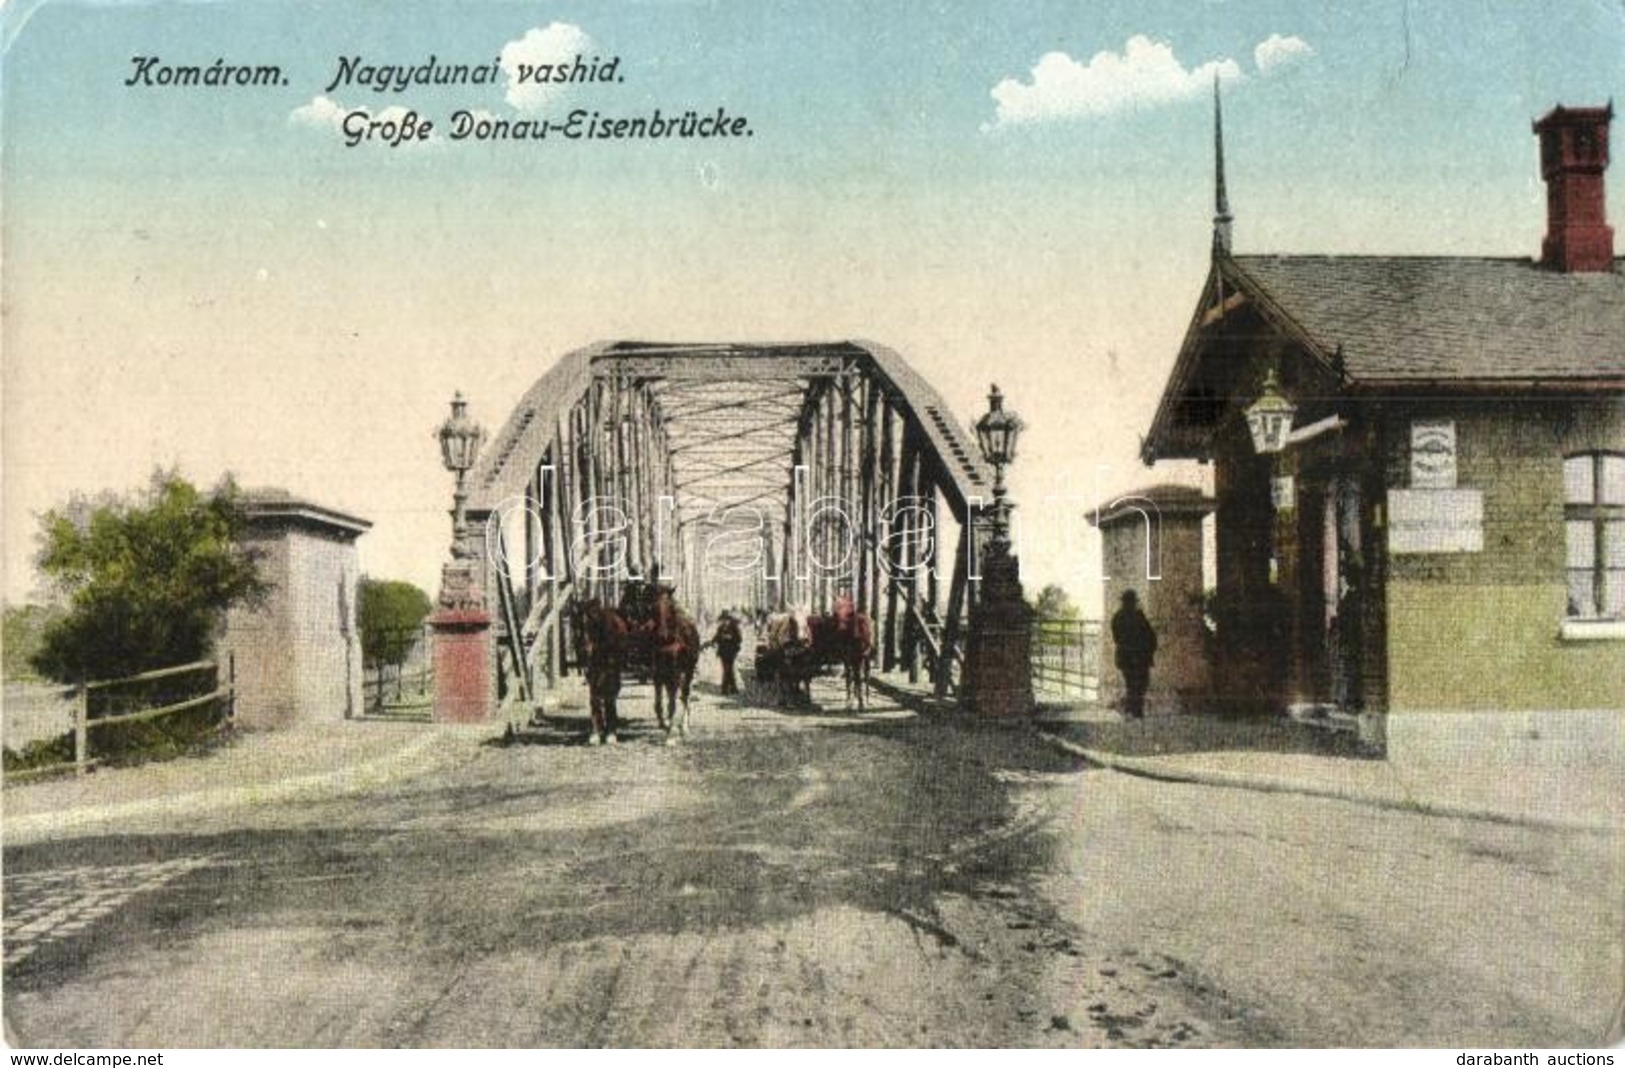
778,880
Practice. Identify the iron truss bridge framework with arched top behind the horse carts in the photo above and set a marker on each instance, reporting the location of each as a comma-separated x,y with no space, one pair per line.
750,477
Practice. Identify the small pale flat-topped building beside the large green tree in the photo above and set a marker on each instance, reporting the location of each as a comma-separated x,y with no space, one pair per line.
298,658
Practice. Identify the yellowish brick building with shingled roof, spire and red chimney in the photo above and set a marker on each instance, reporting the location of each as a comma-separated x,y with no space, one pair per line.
1444,529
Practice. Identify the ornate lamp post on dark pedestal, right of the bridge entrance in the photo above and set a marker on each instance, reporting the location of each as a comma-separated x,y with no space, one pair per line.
999,653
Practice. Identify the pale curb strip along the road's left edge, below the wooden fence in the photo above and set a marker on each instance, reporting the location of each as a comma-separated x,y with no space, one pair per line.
362,776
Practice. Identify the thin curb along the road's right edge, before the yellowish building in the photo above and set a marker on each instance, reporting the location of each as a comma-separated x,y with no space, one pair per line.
1151,768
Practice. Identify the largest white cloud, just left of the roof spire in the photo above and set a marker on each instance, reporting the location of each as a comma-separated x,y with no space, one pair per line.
1146,74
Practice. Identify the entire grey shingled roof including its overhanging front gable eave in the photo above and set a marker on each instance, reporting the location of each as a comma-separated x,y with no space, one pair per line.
1395,323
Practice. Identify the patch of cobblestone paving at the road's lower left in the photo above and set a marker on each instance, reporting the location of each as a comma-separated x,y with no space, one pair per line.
50,906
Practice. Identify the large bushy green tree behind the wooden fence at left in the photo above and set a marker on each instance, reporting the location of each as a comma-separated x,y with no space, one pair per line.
145,581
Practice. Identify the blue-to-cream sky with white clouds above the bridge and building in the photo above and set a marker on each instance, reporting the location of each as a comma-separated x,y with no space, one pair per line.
209,277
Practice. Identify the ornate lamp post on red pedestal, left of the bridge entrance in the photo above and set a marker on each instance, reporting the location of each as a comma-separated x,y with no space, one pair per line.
462,628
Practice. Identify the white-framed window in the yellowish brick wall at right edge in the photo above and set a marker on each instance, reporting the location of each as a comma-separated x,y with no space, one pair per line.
1595,534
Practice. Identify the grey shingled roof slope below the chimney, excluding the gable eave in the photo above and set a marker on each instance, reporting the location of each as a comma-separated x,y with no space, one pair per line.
1447,318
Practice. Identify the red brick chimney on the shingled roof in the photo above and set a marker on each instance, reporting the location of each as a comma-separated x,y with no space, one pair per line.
1574,157
